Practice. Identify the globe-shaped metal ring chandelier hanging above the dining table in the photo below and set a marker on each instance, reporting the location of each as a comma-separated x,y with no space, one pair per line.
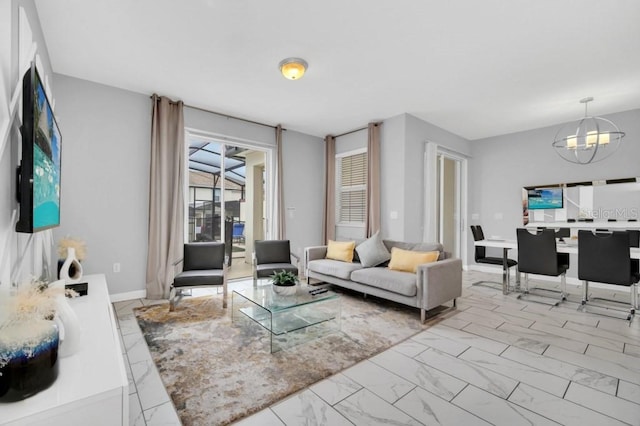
588,140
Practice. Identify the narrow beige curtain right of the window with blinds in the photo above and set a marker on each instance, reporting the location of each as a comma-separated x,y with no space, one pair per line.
373,179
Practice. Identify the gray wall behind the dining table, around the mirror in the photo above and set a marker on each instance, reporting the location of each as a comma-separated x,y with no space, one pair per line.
502,165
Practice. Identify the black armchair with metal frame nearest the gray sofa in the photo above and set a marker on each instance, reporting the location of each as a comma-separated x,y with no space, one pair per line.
270,256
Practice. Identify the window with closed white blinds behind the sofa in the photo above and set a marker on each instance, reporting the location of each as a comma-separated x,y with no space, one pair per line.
352,186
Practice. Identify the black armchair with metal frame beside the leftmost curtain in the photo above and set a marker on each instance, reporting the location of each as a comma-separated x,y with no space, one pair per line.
203,265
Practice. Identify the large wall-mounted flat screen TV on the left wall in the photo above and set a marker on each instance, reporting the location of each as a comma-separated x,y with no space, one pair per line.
38,180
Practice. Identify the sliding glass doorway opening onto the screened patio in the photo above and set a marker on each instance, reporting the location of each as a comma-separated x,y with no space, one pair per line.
226,198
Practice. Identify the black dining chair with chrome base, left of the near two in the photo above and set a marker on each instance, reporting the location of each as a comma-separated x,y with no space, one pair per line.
538,254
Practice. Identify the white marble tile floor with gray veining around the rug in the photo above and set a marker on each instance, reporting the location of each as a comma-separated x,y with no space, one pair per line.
494,360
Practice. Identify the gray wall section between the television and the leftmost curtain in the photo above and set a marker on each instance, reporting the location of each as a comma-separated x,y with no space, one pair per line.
105,177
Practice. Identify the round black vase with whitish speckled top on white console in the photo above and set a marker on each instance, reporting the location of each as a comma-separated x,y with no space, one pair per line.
30,367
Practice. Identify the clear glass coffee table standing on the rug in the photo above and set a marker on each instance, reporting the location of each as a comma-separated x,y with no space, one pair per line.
292,319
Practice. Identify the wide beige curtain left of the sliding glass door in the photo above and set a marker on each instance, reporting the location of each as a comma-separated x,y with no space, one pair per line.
166,195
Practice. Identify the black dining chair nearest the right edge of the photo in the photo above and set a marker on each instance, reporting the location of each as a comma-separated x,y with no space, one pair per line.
605,258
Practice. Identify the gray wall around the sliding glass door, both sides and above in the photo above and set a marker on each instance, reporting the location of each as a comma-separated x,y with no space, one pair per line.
105,169
